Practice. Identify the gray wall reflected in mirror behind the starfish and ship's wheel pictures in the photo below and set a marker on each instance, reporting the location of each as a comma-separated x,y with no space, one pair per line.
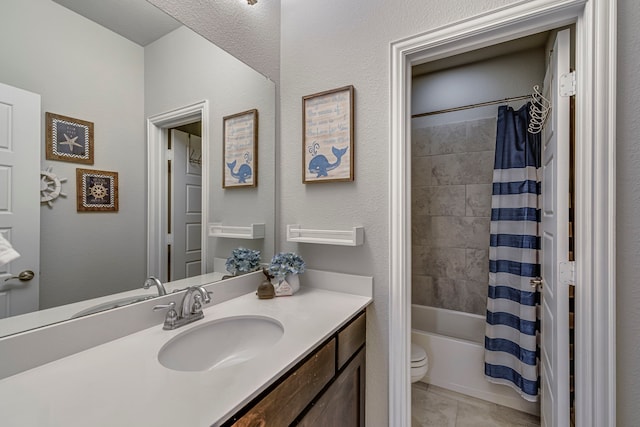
83,71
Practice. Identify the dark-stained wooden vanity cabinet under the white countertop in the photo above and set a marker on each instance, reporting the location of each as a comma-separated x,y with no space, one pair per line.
325,389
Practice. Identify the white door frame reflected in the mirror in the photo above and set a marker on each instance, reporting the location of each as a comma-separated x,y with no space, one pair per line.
157,205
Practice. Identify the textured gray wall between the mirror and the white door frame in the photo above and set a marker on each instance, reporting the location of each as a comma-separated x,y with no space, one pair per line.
325,45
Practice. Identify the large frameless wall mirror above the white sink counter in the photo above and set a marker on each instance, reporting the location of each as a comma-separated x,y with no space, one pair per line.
156,93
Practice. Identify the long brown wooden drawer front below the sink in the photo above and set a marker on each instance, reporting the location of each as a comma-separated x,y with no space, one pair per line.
291,396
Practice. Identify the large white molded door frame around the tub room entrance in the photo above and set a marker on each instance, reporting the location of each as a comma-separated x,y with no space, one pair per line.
594,239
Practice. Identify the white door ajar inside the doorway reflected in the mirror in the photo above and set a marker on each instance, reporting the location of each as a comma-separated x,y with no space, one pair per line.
187,205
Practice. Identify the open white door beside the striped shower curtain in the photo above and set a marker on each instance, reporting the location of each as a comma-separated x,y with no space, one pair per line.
555,243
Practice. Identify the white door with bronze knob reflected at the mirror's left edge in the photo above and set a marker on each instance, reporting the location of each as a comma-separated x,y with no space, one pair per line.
20,198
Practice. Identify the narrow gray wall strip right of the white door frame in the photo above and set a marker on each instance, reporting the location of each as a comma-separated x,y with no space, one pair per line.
628,214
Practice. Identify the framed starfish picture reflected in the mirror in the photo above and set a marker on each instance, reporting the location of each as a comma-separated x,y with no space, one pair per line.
68,139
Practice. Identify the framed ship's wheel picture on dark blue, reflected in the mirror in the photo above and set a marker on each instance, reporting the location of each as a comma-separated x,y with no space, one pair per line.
96,190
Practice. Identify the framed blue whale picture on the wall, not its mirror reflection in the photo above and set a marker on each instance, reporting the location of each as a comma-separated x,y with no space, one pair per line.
327,135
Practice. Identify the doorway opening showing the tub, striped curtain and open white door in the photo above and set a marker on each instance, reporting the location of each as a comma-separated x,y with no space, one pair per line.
475,233
